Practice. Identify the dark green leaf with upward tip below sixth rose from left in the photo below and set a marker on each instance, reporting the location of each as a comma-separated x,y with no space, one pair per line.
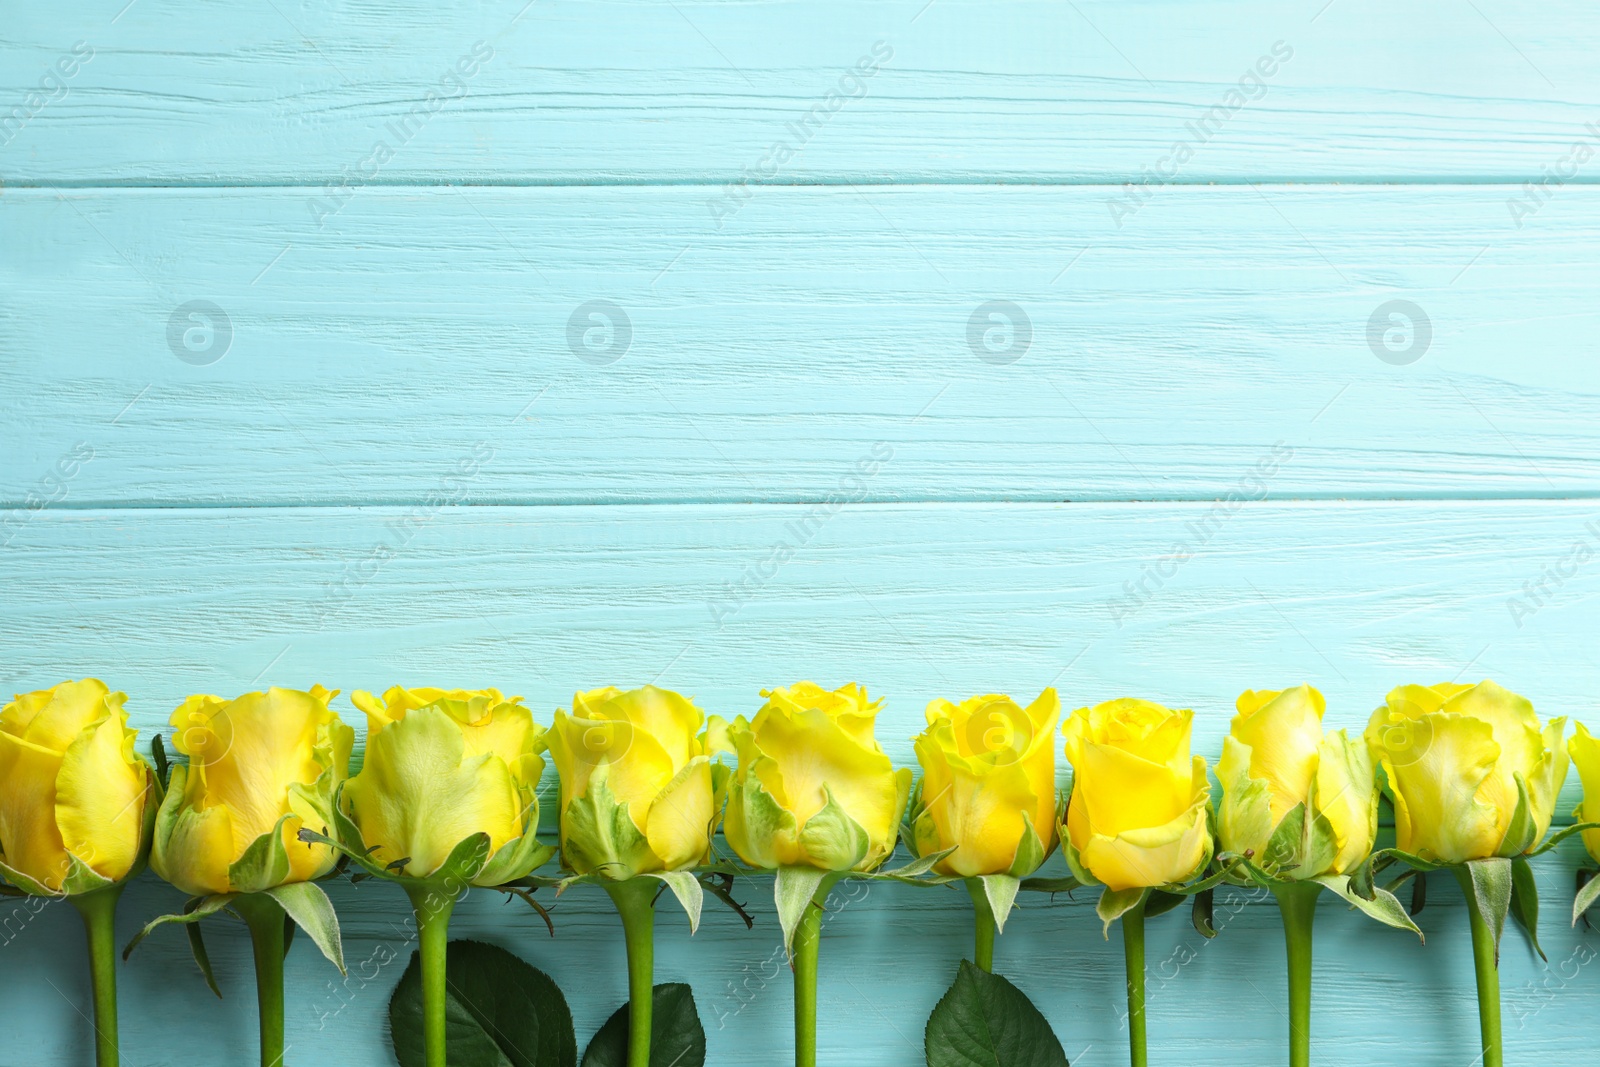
986,1021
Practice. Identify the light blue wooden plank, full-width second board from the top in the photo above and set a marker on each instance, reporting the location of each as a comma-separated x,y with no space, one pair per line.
447,346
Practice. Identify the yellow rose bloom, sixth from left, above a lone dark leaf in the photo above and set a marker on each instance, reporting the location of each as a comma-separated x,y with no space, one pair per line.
988,786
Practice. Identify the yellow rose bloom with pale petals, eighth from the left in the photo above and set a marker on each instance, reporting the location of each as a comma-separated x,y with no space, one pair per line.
1278,764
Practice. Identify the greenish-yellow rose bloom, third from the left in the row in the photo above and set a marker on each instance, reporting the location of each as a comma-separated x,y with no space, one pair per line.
444,765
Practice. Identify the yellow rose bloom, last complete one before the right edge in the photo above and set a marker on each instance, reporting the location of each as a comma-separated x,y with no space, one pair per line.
1470,770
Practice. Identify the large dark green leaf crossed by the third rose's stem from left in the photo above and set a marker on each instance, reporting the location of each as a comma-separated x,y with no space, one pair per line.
498,1012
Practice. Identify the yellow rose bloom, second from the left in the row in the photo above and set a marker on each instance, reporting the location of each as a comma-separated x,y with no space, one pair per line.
260,769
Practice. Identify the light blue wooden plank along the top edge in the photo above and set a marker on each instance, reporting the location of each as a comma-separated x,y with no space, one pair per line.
700,90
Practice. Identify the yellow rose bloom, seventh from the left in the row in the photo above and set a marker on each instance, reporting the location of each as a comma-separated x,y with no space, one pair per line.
1138,810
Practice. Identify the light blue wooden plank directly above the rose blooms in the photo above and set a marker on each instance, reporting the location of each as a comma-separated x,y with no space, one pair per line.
722,601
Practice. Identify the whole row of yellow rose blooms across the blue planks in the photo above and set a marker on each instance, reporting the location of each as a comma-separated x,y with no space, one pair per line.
812,785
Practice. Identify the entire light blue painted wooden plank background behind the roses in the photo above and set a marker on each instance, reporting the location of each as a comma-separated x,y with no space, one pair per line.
401,471
